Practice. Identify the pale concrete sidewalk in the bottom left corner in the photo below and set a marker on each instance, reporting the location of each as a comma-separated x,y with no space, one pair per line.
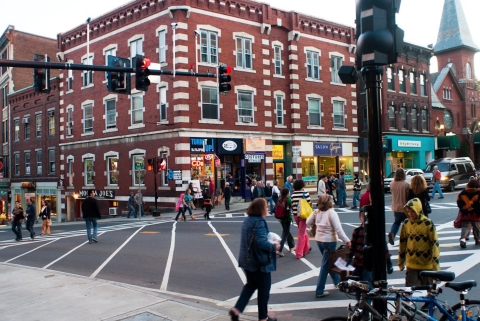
36,294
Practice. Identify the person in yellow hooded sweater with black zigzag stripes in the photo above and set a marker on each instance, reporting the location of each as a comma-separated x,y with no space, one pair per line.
419,249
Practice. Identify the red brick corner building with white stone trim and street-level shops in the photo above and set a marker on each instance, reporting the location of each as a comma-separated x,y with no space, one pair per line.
285,93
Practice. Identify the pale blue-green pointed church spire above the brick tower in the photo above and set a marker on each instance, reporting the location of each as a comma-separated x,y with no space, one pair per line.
454,32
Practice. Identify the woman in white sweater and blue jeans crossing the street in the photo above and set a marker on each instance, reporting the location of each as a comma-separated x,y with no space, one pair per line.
328,226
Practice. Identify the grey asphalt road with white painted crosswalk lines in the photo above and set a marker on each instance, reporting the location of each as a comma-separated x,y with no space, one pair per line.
197,259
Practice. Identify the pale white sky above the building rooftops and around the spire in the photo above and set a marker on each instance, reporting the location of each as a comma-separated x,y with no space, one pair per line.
420,19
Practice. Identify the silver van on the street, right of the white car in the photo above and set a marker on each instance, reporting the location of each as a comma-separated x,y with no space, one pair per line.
455,172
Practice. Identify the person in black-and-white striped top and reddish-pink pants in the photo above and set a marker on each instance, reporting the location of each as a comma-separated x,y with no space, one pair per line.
303,245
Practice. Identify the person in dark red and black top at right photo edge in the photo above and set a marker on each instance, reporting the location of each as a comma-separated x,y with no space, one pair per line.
468,202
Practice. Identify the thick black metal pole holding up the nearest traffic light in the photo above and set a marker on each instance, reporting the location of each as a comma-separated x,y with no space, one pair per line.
372,75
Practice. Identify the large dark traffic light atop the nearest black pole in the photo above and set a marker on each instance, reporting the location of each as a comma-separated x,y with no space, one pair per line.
379,40
